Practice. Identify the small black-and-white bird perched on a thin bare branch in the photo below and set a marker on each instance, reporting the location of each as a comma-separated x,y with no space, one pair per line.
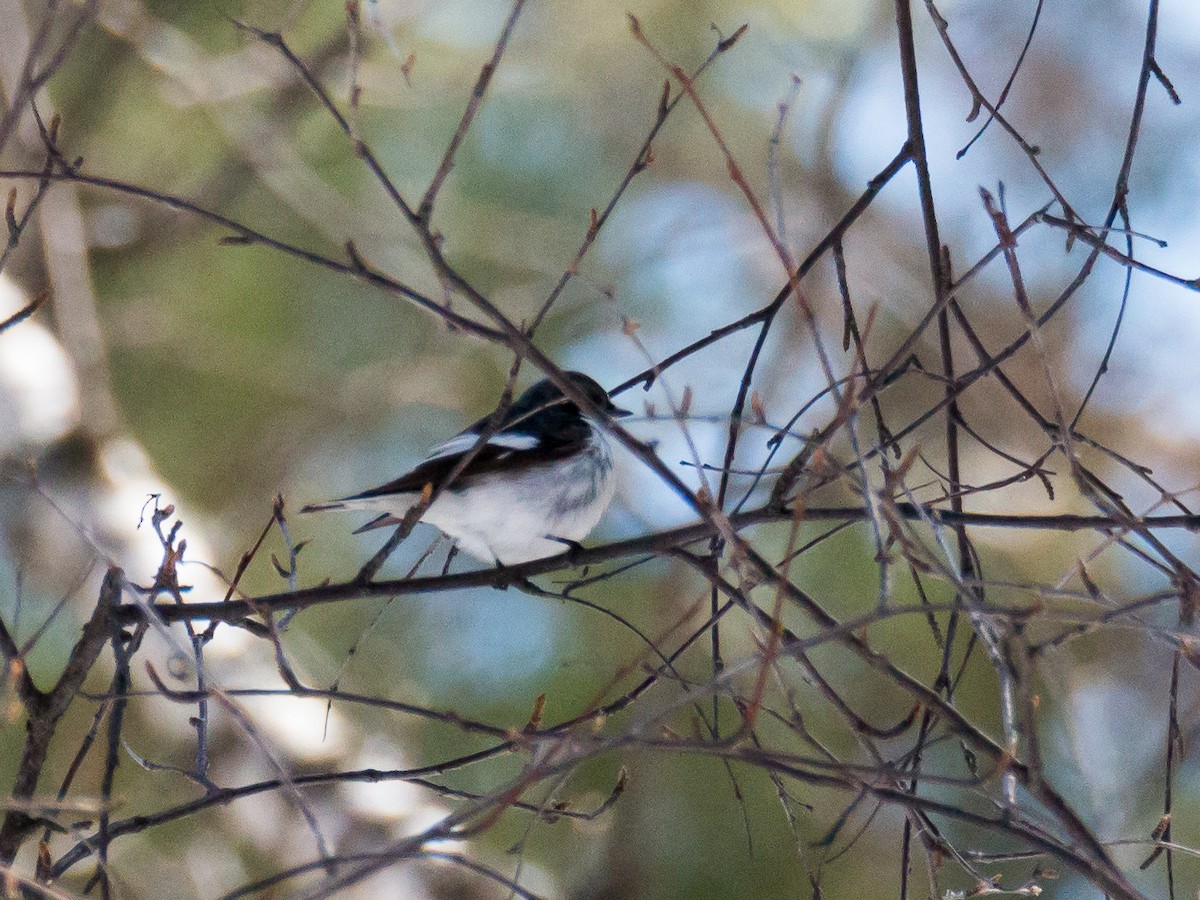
537,487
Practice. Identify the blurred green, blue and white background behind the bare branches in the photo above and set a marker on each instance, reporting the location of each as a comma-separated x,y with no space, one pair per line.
221,376
